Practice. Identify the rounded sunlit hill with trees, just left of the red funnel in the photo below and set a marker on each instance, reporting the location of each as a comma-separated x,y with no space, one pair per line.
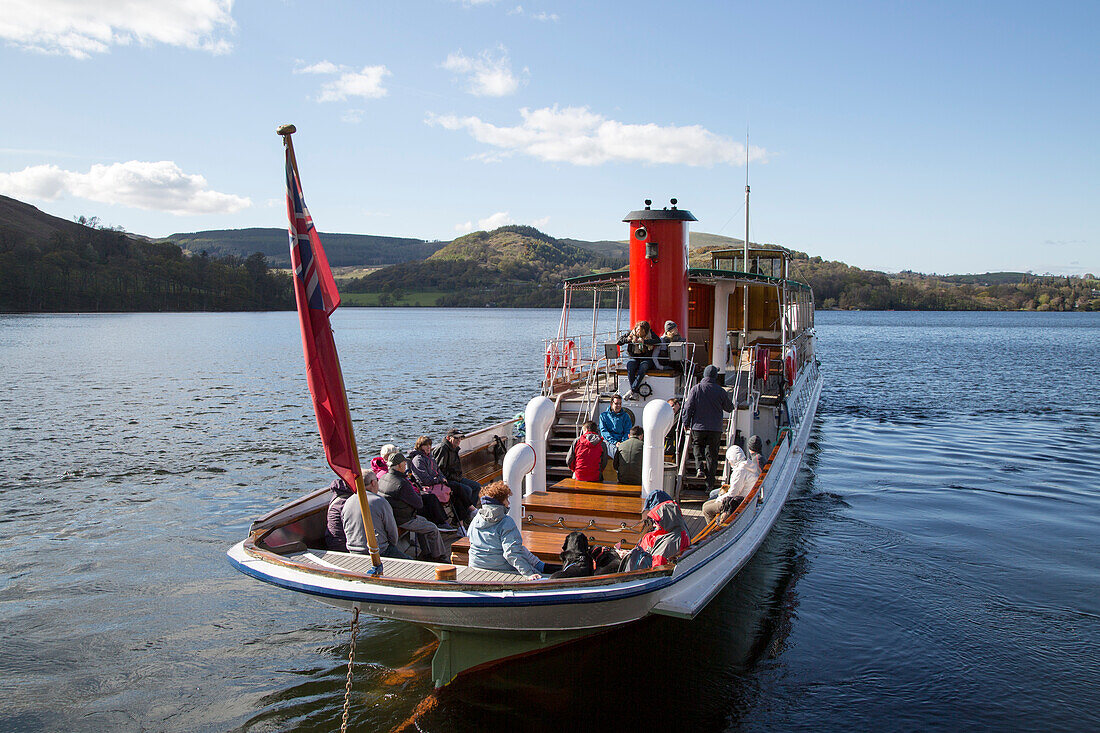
508,267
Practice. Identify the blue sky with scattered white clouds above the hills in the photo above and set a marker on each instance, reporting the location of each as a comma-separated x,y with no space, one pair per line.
937,137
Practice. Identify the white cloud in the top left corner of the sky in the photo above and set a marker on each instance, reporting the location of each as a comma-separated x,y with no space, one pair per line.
81,28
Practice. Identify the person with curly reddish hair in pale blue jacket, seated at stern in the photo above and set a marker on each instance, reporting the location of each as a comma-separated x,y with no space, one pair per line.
496,541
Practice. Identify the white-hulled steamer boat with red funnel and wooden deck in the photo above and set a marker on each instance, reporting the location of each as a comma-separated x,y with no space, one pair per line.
744,313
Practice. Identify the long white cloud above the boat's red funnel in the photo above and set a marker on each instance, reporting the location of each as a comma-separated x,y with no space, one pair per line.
576,135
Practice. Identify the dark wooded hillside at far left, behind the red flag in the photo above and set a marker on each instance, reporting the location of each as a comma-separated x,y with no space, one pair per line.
50,265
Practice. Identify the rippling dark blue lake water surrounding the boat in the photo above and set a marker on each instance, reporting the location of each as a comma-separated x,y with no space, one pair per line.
936,568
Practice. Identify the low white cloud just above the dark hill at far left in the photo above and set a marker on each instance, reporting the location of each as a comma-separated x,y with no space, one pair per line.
160,187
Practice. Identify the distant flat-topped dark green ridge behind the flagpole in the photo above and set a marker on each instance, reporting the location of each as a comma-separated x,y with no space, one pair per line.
343,250
